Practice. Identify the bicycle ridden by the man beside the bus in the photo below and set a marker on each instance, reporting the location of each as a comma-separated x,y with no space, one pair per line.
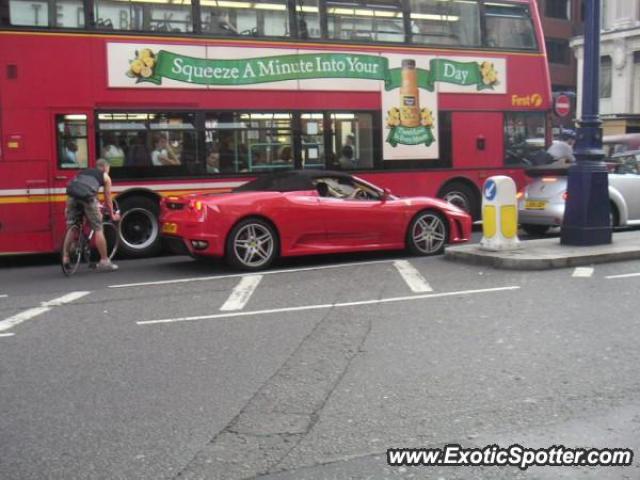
81,247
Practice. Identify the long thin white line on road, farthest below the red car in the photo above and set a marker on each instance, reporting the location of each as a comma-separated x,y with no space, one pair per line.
326,305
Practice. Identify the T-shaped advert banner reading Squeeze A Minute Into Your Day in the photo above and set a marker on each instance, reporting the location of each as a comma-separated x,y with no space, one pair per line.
408,83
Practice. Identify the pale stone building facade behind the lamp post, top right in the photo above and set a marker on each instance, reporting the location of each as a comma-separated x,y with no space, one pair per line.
619,66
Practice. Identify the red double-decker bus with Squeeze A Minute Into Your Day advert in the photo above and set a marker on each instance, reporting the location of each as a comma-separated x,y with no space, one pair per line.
424,97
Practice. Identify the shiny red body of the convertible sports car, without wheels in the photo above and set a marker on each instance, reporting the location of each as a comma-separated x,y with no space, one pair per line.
306,222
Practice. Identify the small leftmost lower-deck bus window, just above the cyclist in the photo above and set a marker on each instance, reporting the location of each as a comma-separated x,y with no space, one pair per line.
72,140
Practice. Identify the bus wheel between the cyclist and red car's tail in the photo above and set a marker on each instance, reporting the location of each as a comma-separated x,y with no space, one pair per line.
139,227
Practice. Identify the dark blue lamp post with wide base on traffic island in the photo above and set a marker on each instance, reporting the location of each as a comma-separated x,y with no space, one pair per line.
587,212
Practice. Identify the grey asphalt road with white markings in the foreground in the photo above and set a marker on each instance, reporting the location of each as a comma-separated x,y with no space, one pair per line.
174,369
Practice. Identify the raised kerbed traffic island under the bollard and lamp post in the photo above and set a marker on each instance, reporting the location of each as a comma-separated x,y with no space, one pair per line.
548,253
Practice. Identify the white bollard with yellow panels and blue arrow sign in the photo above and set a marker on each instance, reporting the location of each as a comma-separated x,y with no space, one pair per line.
499,214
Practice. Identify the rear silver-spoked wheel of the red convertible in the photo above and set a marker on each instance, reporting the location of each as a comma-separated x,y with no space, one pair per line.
252,245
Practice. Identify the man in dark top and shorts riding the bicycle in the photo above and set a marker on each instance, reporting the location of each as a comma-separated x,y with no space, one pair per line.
82,199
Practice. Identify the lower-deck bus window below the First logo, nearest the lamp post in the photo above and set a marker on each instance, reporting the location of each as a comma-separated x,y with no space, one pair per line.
523,136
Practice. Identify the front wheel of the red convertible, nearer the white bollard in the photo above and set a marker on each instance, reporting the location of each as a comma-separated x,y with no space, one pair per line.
428,233
